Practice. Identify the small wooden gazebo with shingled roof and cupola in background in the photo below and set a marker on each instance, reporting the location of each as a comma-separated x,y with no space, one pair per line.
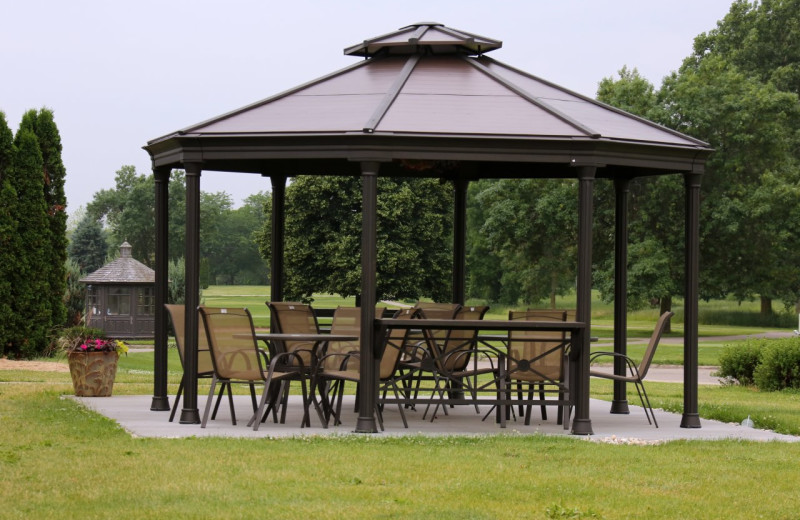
120,297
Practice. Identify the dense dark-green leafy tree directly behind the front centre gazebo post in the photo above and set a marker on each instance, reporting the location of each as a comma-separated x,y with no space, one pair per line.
323,237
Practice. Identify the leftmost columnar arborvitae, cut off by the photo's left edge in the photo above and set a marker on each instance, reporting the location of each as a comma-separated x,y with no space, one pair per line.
8,233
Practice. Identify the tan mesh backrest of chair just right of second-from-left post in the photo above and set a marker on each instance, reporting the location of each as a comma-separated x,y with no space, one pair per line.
234,350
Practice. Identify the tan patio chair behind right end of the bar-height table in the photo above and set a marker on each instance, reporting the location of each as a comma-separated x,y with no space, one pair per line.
537,362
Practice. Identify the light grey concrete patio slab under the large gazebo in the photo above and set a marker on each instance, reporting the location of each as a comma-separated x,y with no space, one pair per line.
133,414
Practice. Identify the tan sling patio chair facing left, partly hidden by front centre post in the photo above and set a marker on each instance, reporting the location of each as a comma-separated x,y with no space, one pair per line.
338,368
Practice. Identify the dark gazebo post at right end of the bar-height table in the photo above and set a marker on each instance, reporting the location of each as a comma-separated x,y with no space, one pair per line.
579,361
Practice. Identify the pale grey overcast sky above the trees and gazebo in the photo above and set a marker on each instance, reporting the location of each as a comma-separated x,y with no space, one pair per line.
120,73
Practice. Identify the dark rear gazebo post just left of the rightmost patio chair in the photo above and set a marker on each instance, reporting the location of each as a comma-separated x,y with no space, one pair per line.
619,404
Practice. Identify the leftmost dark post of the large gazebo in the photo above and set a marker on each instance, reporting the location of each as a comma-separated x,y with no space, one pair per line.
160,401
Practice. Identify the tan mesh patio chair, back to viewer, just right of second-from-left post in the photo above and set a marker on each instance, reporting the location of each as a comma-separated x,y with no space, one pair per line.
237,358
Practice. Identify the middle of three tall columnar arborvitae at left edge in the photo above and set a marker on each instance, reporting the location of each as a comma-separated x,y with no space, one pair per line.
31,288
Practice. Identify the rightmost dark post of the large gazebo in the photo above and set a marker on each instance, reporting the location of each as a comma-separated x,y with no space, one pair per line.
691,417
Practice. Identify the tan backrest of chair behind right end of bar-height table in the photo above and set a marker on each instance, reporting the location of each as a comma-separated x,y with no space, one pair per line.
550,365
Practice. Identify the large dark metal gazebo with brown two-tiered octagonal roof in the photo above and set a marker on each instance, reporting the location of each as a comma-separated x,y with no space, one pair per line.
427,101
